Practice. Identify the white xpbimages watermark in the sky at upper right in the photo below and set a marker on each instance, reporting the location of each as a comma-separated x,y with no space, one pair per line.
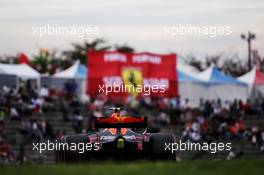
211,31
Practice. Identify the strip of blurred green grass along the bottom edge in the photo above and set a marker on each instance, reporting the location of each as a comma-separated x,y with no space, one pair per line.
240,167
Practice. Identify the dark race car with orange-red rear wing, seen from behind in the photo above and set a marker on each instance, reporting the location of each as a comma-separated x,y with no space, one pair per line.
117,138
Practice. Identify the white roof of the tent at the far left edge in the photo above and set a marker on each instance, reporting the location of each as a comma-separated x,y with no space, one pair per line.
23,71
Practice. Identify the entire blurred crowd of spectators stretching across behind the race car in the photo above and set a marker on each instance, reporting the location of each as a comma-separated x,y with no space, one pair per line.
211,120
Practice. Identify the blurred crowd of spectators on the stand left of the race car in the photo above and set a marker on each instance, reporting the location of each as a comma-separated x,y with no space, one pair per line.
27,105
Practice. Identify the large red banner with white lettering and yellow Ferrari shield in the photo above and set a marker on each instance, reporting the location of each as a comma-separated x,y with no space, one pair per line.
120,74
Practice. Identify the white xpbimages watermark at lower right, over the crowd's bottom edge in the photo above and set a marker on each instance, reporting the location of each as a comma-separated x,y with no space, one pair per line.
213,147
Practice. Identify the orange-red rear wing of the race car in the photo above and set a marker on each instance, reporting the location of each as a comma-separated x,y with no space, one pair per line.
122,122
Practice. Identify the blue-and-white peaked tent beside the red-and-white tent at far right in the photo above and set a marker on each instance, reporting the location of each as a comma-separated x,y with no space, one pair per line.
221,86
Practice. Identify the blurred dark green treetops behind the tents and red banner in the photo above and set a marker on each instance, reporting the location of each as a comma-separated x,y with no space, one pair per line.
49,61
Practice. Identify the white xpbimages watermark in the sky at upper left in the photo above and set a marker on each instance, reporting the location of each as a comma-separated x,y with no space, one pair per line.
60,30
